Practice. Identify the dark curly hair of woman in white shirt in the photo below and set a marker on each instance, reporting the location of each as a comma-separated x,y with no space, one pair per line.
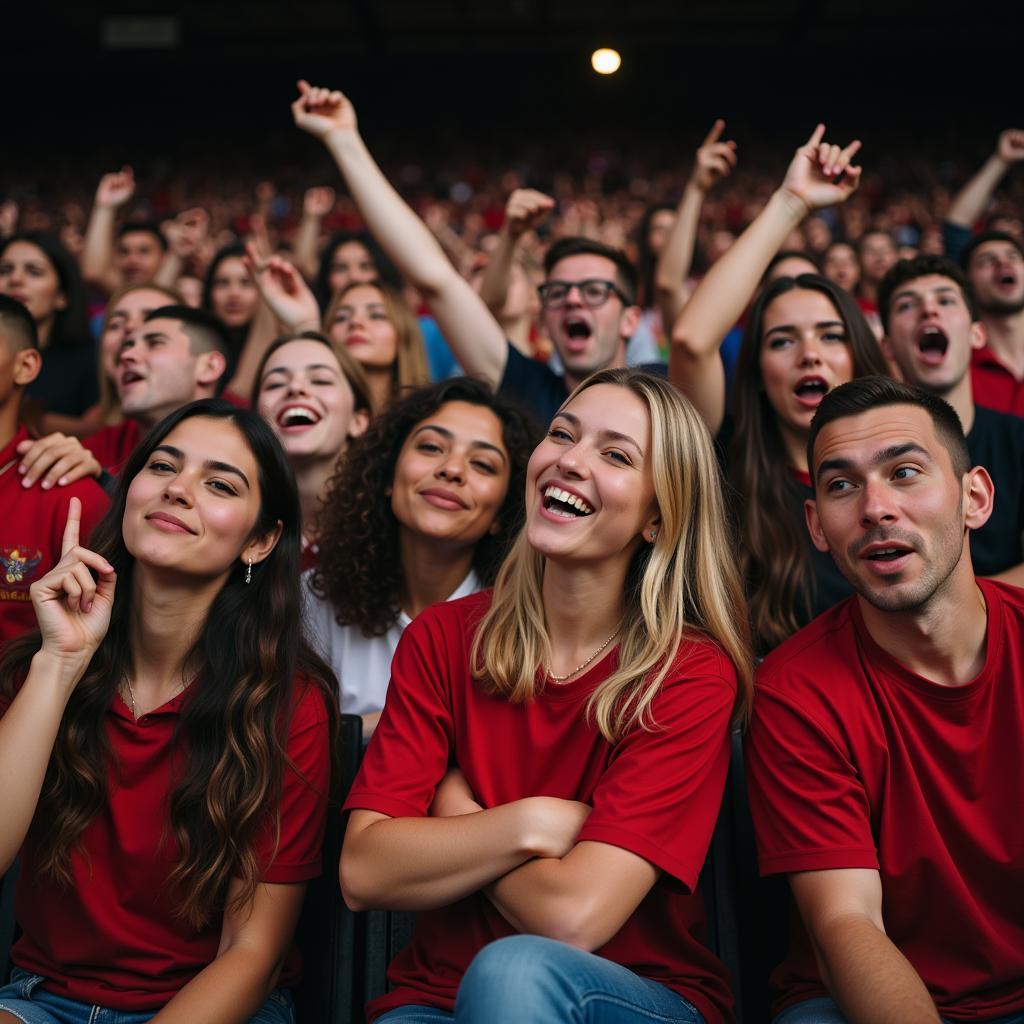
361,571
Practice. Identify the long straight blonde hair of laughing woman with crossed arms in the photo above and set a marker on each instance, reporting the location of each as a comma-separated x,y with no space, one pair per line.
684,586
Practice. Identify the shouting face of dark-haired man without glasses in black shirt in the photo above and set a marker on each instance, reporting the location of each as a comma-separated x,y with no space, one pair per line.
931,335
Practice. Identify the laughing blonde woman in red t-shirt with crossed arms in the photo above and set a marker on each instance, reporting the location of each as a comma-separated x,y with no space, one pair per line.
547,773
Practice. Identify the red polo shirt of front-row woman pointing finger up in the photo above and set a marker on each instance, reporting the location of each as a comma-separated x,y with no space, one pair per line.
112,938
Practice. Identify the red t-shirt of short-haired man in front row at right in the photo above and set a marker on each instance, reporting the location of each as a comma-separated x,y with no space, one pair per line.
855,761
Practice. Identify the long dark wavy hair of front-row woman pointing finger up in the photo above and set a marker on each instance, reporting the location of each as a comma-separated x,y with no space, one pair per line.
229,753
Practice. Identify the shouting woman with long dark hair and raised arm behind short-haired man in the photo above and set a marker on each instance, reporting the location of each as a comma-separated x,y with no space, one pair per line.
804,336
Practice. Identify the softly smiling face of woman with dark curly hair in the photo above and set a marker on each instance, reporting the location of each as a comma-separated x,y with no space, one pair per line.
452,476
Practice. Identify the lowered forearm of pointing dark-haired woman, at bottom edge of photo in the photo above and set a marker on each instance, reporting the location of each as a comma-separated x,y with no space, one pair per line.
230,991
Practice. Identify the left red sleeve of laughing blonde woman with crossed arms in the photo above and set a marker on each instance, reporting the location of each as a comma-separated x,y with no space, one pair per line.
409,753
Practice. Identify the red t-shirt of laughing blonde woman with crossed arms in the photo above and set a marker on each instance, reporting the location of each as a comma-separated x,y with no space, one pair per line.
654,793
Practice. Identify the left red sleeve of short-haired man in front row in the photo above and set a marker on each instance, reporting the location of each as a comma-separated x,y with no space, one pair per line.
809,807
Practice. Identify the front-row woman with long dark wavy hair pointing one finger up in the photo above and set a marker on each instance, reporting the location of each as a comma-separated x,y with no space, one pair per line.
166,743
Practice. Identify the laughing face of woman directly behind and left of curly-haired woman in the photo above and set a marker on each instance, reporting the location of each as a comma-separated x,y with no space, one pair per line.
308,401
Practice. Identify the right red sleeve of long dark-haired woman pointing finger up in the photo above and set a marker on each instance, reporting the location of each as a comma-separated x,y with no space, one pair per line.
305,795
